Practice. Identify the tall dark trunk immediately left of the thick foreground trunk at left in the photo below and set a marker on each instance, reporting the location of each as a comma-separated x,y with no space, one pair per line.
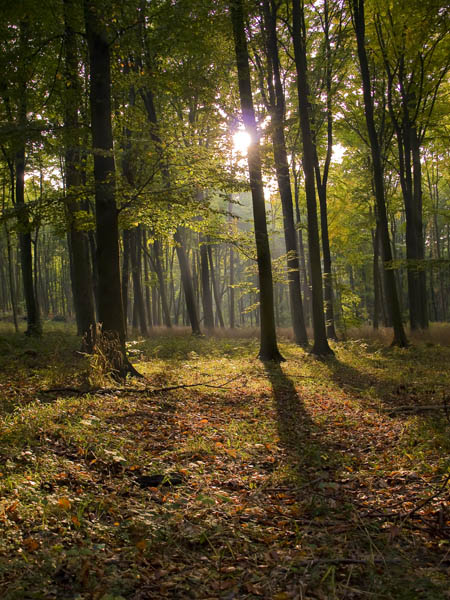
81,275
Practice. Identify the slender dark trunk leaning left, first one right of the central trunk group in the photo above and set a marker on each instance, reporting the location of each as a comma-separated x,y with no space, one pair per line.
357,7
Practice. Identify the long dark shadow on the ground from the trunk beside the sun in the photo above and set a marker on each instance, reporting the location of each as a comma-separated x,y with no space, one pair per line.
308,456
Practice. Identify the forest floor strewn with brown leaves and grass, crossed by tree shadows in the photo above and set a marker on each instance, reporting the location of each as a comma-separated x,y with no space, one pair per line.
310,480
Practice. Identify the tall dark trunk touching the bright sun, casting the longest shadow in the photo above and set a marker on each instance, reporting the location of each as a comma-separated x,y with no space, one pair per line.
268,343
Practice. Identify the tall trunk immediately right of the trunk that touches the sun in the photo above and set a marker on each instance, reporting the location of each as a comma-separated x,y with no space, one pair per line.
277,114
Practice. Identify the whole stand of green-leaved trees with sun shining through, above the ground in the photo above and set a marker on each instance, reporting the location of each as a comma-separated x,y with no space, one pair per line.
127,198
